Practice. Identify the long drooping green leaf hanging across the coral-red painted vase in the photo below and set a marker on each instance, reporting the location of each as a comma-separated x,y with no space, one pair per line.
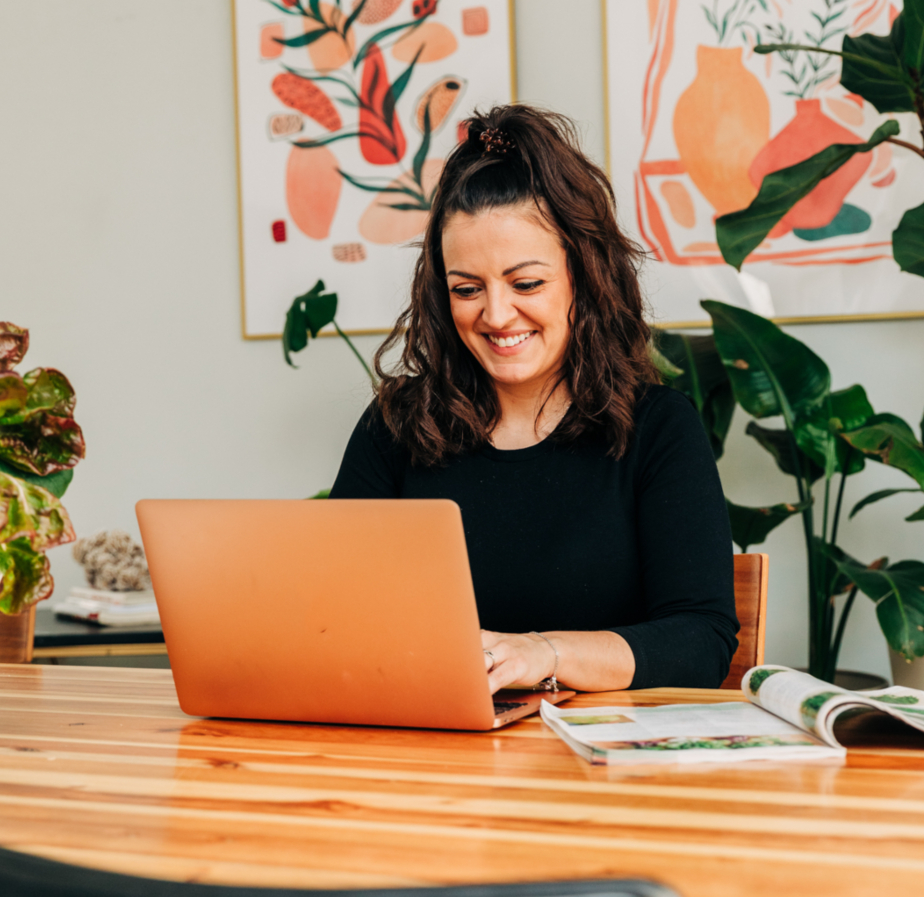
740,233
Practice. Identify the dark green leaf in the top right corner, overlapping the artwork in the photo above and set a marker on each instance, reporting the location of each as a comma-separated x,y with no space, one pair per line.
872,67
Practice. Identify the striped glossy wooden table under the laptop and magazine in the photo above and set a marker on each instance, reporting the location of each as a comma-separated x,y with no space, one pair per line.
100,767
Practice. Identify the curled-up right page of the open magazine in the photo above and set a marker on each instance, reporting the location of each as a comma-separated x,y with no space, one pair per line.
815,705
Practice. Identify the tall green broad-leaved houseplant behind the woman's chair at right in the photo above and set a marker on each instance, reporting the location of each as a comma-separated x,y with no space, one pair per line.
826,436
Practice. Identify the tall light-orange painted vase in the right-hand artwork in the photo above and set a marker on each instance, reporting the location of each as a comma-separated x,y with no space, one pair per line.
721,122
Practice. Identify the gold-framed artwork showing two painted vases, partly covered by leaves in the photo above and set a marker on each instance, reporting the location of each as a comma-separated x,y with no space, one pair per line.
696,118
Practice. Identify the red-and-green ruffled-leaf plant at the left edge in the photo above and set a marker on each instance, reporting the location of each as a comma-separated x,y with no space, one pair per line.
40,442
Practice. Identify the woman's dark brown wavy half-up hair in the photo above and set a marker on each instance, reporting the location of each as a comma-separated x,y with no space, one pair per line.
439,401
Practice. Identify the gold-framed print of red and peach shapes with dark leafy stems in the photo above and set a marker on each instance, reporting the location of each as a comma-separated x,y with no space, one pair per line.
345,112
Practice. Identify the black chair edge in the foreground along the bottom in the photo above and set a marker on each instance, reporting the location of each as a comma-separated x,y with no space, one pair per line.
22,875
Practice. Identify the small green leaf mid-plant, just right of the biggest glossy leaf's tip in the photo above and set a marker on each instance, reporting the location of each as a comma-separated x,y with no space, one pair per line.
817,432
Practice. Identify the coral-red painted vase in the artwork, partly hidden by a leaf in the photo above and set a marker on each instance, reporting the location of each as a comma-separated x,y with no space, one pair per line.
808,133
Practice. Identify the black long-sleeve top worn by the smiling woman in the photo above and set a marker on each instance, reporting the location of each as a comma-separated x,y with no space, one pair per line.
565,537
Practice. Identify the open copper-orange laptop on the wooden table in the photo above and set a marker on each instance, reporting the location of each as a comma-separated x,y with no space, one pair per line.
350,611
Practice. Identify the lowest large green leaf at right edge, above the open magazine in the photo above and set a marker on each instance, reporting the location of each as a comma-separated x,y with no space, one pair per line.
898,591
